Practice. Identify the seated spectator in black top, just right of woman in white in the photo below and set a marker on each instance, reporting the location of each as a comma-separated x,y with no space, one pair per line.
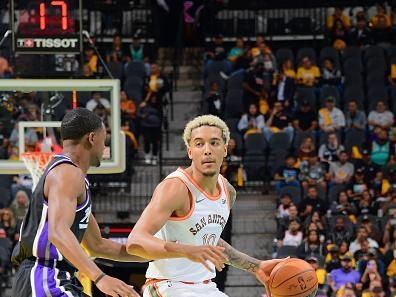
279,121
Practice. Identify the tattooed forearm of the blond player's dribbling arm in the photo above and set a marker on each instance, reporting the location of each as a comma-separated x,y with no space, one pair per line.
238,259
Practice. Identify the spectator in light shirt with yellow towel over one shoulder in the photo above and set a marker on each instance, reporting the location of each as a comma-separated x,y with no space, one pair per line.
331,118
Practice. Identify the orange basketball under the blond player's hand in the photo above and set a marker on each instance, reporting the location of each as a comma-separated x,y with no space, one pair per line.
293,277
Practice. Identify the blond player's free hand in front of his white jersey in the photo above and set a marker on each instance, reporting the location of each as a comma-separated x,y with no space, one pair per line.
204,253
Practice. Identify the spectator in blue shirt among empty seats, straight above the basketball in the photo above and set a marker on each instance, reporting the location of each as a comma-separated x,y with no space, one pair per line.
287,175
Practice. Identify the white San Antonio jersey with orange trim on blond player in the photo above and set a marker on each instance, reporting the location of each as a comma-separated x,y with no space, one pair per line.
201,226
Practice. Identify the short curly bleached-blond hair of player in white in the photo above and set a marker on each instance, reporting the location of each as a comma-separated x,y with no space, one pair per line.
205,120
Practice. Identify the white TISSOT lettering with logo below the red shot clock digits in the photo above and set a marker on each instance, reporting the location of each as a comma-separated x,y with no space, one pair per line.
61,43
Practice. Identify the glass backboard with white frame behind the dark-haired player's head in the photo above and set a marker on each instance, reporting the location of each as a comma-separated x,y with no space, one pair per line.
34,108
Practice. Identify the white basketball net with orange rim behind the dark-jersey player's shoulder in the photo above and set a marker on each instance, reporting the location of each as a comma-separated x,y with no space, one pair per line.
36,162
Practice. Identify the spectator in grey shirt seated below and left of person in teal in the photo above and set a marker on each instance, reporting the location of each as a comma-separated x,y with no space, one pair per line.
341,171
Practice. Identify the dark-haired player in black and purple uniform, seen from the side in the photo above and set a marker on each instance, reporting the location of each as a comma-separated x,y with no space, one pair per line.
59,218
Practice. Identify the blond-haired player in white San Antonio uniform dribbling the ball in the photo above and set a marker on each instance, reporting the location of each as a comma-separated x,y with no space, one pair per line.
180,228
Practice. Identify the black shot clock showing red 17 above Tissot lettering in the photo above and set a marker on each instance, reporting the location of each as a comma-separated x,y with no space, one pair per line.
46,26
